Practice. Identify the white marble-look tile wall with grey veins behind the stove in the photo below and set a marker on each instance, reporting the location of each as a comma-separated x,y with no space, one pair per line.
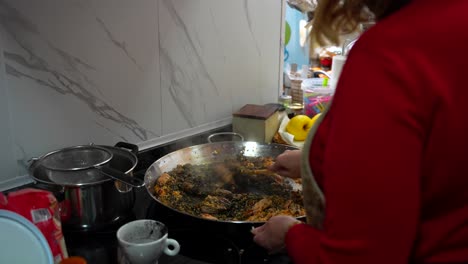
143,71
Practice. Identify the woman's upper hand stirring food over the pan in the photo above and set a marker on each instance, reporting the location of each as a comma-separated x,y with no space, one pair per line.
288,164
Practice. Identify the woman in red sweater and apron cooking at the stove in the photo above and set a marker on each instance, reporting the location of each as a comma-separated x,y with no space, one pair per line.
385,174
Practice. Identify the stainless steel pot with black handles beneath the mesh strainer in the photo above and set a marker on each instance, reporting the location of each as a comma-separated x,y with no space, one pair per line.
92,203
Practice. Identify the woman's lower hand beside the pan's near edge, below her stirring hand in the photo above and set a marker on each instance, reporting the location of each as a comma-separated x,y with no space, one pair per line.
272,234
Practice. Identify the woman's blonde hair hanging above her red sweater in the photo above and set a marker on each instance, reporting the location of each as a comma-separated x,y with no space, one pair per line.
333,18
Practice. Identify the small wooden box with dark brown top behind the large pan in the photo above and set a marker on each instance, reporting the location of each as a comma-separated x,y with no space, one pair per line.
256,122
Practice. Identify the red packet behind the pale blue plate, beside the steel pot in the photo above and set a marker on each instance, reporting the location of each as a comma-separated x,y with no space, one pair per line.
41,208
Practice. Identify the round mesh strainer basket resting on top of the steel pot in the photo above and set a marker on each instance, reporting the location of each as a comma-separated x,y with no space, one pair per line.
76,158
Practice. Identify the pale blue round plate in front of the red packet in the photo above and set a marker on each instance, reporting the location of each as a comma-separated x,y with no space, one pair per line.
22,242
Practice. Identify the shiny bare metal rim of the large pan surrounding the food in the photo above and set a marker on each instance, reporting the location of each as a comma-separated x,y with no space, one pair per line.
208,153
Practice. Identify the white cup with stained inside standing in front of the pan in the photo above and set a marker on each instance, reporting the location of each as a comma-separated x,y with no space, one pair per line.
144,241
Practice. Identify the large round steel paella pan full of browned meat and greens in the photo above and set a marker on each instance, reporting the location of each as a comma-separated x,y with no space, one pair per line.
224,182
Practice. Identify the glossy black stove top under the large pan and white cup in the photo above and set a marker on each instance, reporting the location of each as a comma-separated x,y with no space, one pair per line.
202,242
